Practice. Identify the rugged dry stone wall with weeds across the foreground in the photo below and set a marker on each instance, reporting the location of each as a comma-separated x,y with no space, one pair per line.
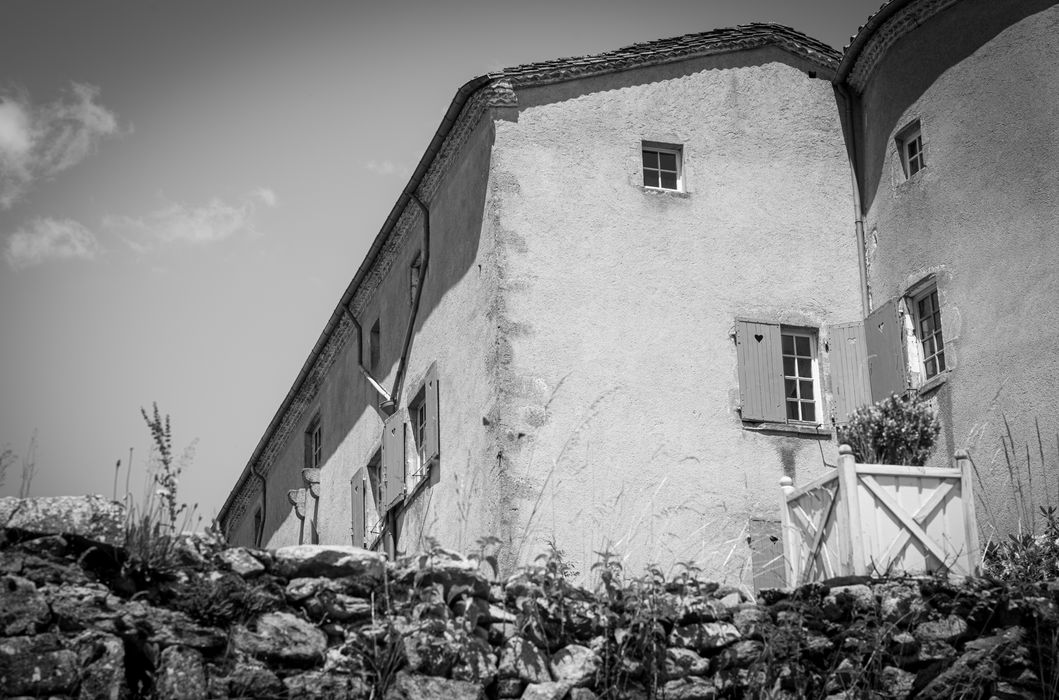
81,619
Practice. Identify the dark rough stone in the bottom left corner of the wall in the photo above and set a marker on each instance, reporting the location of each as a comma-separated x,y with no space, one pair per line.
38,666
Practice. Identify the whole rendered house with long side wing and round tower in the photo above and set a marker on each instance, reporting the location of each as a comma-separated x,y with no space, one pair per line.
622,296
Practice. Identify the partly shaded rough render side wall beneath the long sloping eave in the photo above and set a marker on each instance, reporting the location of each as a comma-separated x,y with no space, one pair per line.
454,331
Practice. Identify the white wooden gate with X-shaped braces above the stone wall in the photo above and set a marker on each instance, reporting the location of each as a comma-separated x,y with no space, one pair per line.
872,519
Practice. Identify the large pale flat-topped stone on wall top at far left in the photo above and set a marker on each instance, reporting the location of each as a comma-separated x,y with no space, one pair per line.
94,517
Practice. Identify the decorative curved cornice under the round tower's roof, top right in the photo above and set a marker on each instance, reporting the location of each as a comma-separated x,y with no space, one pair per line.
876,38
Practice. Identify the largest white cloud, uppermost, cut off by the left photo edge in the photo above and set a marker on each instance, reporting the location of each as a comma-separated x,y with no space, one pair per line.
39,142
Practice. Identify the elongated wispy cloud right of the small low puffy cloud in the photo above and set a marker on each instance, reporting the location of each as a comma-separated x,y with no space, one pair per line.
213,222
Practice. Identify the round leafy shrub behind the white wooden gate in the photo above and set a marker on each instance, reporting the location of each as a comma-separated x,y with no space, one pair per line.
894,430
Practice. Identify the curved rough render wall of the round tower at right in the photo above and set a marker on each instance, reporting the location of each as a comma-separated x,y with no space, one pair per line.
982,217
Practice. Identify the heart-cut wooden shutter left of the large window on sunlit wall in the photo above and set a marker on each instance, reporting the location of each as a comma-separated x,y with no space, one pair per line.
760,358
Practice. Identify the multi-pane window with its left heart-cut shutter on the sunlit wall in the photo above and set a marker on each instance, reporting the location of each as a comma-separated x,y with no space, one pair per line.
779,373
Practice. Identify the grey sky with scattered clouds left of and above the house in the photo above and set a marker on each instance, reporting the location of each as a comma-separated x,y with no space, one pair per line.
187,188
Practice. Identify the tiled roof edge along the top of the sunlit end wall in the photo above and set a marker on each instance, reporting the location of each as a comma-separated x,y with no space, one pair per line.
662,51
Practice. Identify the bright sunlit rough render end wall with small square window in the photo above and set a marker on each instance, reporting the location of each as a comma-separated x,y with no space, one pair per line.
619,386
